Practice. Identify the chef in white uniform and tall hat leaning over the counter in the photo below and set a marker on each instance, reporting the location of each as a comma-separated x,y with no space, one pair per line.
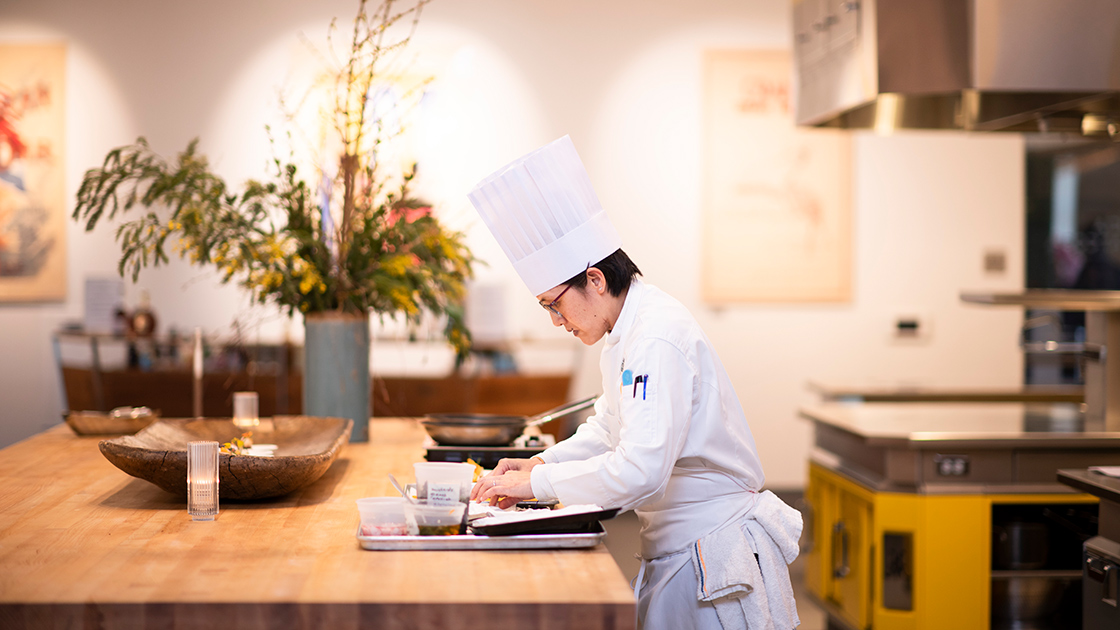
668,439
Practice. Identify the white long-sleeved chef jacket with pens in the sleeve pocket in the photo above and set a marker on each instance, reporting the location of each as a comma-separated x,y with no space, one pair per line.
668,440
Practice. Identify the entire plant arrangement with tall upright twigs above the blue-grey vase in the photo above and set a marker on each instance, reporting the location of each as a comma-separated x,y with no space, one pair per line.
365,244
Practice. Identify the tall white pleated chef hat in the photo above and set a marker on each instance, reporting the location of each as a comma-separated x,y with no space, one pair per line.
545,214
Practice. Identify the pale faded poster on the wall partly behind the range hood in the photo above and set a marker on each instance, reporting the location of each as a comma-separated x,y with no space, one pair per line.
777,202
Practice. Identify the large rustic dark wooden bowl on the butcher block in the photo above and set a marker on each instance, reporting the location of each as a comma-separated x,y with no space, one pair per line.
306,449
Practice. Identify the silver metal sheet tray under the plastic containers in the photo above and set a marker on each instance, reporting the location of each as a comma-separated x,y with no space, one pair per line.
472,542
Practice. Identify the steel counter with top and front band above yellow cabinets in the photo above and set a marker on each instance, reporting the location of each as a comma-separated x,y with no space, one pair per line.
946,448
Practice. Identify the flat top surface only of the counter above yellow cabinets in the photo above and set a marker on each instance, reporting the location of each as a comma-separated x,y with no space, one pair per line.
938,425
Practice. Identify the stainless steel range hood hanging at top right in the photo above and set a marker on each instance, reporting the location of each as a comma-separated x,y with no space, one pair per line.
982,66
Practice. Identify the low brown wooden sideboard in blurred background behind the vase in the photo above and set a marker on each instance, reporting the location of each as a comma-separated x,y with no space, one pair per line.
99,374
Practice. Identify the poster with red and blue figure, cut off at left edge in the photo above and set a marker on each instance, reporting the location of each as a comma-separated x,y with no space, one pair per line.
33,210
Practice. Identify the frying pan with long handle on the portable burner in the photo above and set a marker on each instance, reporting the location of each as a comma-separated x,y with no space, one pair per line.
489,430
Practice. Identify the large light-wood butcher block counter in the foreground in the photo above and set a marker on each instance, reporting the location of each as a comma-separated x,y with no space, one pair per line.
83,545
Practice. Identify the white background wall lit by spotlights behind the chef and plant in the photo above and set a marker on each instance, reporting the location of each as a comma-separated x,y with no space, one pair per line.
623,79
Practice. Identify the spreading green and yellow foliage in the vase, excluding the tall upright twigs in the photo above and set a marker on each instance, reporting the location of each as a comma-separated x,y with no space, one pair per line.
270,238
